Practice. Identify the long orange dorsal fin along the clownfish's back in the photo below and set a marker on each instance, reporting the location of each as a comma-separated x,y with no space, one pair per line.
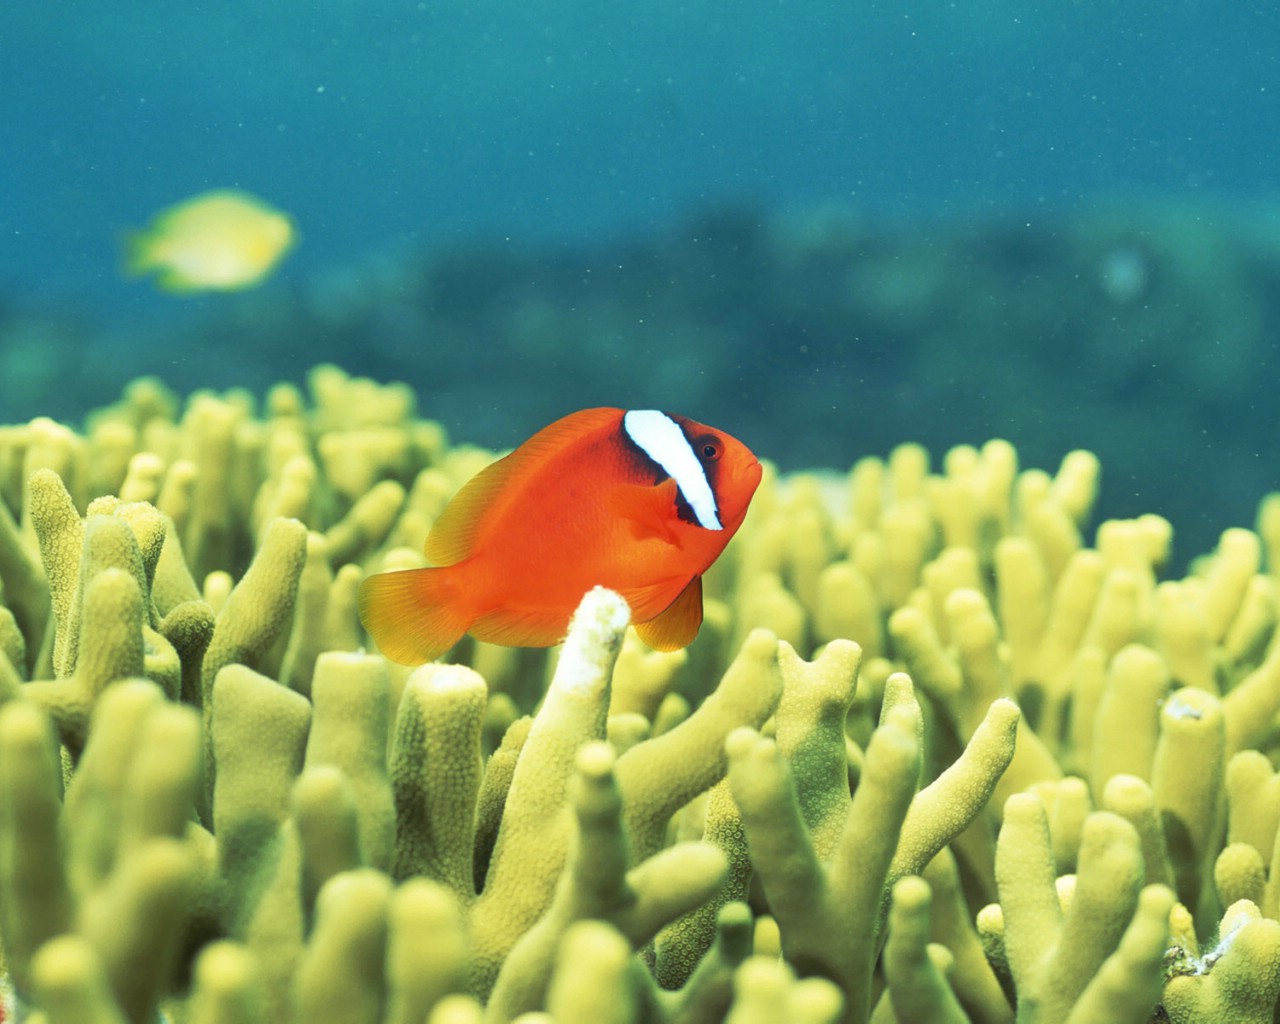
455,534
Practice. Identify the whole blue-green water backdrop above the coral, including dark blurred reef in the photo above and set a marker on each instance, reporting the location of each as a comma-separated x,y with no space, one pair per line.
828,226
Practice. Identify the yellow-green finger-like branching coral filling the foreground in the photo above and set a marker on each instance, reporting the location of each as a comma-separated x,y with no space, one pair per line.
934,757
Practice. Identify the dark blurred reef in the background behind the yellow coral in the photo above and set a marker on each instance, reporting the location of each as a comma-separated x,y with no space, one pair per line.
1144,332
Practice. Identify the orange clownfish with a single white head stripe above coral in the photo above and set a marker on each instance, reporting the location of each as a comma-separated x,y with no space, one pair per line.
641,502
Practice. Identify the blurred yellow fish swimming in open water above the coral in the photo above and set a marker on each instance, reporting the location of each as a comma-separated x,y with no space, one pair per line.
218,241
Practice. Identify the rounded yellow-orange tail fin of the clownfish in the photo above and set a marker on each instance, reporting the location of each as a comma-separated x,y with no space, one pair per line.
413,614
